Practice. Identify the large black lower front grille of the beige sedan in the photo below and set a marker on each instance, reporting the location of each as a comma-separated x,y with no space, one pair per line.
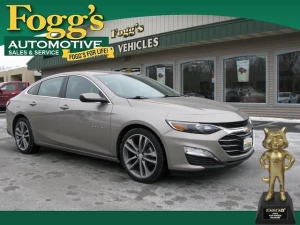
232,143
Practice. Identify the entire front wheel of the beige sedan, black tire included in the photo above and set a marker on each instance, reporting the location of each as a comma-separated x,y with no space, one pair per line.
142,156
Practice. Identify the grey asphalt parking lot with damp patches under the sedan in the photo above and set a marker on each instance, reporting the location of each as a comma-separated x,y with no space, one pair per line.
55,180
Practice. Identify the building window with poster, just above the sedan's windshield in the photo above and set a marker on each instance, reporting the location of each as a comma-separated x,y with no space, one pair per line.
162,73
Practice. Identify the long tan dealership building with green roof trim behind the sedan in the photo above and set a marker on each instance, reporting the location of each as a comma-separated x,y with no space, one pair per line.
253,65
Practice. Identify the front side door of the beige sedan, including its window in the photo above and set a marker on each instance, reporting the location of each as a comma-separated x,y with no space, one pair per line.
84,126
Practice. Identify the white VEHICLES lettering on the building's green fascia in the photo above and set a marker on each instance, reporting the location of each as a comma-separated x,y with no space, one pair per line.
138,45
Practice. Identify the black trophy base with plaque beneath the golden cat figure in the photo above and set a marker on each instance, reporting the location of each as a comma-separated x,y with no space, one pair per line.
275,211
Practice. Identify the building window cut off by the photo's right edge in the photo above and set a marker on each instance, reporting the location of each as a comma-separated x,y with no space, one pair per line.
288,79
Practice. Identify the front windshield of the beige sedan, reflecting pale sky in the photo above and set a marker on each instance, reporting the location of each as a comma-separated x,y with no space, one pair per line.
134,86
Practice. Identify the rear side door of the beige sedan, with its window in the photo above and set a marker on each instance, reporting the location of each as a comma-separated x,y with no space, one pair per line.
42,108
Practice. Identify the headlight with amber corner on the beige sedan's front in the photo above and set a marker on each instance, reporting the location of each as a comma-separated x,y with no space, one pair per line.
196,128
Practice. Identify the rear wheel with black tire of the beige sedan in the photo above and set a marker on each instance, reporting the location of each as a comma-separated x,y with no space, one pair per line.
24,137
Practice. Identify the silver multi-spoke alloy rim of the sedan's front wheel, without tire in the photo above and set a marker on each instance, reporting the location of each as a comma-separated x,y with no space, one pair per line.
140,156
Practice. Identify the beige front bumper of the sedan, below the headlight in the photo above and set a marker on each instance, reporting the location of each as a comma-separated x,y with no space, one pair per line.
181,160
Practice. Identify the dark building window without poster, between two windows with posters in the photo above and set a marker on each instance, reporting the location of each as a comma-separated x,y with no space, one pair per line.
198,78
